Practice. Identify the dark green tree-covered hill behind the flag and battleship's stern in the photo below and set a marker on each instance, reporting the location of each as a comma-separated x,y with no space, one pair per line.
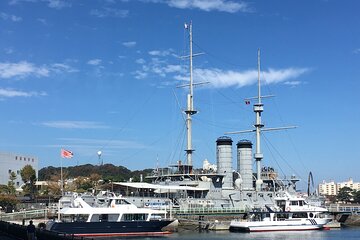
106,171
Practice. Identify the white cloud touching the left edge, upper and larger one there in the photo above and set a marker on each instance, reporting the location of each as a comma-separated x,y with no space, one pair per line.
22,69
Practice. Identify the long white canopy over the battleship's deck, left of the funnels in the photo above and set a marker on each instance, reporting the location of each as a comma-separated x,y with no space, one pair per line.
158,186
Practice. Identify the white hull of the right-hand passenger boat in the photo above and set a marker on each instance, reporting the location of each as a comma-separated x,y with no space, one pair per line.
286,225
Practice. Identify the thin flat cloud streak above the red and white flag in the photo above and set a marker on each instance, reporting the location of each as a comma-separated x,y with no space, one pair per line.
74,125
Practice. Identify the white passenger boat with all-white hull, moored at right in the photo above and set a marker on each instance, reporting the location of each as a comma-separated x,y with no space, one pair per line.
288,214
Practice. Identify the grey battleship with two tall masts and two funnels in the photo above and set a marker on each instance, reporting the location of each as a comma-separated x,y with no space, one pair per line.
219,186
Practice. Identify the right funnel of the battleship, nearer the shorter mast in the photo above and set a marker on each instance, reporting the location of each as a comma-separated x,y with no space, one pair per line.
244,163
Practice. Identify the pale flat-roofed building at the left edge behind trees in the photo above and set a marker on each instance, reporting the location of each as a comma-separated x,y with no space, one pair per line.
14,162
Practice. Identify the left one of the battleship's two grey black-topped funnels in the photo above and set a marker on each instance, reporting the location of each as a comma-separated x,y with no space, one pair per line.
224,160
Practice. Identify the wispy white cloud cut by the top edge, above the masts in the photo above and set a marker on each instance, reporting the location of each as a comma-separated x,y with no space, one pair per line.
206,5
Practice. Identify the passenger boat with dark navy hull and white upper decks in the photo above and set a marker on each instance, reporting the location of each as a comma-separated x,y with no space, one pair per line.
118,218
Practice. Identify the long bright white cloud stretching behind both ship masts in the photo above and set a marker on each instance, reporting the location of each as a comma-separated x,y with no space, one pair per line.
221,79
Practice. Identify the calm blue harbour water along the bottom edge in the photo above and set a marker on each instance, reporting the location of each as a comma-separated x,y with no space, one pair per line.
345,233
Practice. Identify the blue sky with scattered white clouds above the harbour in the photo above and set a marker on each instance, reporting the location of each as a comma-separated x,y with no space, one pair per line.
102,75
